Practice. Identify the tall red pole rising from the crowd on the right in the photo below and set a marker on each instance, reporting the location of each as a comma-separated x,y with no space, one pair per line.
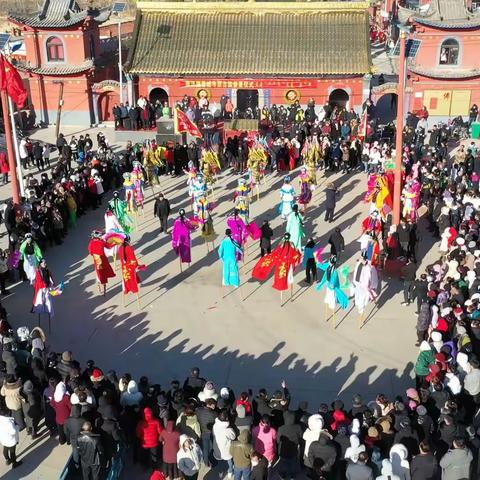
397,190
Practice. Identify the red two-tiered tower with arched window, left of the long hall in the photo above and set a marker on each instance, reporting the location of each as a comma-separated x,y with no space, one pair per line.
67,66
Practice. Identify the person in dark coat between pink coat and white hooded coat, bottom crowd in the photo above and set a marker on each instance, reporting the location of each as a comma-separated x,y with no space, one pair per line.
289,437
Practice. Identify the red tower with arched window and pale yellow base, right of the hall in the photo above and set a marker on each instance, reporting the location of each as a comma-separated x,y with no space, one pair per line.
443,63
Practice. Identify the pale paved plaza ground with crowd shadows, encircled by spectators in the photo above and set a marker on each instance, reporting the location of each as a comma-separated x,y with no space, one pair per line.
185,322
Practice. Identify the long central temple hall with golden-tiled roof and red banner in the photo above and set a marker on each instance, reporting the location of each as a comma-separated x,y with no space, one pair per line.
257,53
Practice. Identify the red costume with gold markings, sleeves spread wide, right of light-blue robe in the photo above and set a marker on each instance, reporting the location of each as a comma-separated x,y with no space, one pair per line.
285,258
